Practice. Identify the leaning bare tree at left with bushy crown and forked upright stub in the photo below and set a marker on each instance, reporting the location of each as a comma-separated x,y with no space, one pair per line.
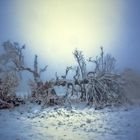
15,53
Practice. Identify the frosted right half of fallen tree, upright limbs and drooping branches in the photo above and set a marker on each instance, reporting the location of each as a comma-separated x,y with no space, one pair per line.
101,86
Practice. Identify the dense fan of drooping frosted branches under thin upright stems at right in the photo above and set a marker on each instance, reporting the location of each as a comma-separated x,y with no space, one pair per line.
105,84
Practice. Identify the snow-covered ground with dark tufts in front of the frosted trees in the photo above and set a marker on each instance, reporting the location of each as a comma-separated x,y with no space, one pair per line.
80,122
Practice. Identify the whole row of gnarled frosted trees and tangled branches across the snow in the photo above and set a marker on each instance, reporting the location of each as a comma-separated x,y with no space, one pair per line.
102,86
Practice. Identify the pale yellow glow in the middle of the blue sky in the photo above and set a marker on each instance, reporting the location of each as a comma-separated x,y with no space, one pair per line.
54,28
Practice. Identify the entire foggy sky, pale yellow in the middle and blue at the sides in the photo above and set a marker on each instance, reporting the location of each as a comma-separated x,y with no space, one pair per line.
53,29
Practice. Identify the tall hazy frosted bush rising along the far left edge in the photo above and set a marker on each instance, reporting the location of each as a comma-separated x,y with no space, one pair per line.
9,75
